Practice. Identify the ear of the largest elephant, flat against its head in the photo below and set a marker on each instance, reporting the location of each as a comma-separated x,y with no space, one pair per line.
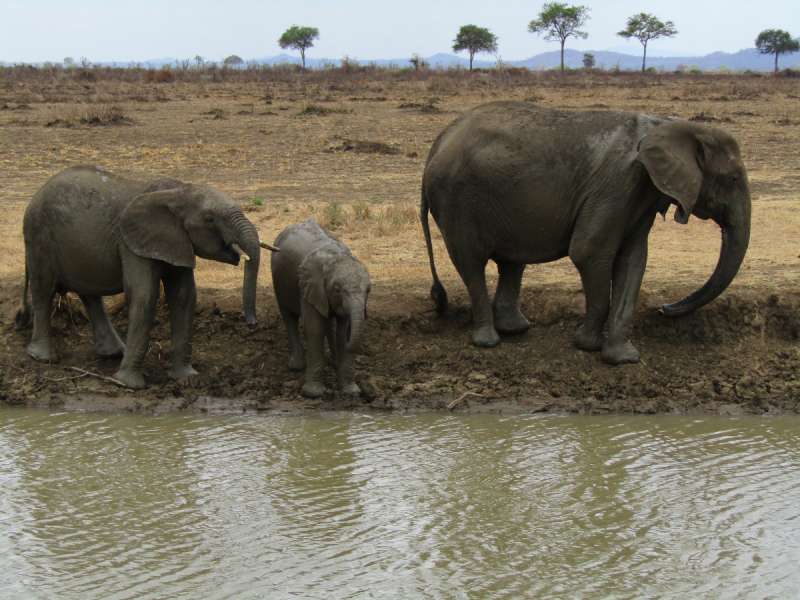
674,156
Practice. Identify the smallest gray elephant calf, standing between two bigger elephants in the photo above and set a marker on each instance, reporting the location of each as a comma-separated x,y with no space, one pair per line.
316,277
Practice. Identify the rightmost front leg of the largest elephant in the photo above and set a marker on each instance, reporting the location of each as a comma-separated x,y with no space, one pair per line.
627,275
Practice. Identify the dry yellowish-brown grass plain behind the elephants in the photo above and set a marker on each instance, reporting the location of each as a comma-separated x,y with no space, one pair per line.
301,168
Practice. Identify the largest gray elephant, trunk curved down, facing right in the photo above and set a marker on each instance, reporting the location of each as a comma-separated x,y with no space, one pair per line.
518,184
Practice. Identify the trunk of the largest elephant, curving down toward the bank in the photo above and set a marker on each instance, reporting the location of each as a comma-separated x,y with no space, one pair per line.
735,224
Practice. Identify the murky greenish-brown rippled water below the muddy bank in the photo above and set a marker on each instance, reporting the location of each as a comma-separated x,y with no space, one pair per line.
397,506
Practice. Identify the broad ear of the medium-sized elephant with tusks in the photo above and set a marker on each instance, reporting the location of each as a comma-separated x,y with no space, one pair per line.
152,228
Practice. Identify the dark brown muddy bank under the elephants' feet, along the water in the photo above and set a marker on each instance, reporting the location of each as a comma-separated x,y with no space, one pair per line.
738,355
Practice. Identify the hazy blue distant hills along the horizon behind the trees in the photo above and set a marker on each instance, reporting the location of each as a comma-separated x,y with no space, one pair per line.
740,61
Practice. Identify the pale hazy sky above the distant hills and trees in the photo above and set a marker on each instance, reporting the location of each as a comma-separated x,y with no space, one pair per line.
139,30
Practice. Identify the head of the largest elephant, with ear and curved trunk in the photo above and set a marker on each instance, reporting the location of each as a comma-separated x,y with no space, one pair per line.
700,168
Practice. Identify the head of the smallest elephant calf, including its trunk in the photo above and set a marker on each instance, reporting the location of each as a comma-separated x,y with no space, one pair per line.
335,282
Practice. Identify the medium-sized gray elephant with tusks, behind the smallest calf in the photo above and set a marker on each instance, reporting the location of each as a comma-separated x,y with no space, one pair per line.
93,233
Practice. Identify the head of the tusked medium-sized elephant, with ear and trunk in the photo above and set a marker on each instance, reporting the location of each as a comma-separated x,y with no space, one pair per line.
178,224
